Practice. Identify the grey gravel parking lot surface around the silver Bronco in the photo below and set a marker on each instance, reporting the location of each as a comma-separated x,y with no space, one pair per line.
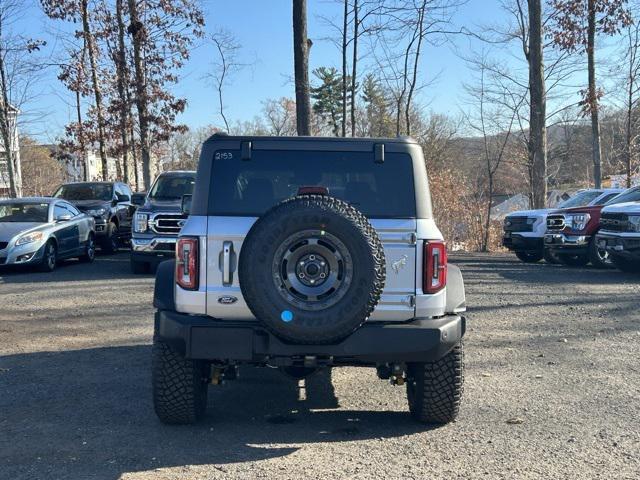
552,388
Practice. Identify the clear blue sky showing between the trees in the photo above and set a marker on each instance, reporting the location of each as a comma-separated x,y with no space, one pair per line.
263,28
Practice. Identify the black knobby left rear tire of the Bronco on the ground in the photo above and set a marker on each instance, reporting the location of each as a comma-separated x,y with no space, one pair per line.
179,386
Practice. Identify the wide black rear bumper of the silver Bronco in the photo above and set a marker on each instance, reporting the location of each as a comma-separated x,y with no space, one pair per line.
202,337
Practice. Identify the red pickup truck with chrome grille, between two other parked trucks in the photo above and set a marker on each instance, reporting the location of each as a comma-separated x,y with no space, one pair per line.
571,234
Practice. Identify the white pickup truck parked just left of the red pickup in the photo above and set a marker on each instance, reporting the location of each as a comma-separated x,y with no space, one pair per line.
524,230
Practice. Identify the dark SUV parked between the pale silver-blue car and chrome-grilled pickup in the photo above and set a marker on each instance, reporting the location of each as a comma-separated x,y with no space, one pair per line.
109,203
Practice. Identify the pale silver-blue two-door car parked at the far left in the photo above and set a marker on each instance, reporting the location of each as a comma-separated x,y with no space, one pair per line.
40,231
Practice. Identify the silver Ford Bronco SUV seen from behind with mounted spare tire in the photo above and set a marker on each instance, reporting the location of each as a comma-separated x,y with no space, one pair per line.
309,253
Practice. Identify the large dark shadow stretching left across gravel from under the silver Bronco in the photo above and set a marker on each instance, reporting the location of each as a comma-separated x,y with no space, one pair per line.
88,414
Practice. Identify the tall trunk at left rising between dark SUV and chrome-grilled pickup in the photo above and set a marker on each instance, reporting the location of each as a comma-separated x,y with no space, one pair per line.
137,30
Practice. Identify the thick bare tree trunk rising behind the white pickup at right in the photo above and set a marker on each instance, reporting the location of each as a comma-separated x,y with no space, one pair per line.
538,107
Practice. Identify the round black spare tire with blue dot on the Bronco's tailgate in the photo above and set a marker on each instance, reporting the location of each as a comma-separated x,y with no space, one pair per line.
312,269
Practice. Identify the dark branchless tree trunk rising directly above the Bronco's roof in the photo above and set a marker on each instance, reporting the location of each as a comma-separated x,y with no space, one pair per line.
301,45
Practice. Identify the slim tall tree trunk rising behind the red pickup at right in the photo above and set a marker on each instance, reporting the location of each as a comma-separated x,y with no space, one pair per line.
593,95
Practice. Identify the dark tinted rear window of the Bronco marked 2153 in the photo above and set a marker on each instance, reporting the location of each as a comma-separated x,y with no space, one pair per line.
250,188
